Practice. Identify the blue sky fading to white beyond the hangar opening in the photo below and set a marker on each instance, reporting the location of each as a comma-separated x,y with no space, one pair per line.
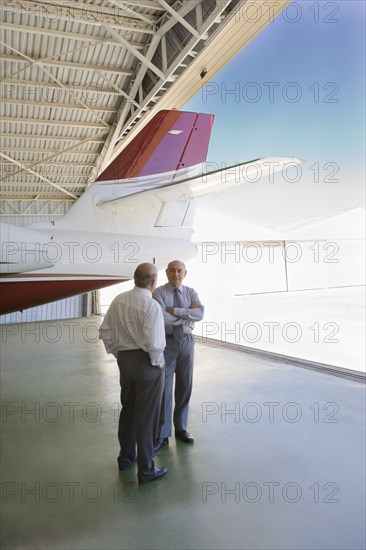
296,90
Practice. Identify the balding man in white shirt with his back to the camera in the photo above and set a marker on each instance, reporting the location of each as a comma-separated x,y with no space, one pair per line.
133,331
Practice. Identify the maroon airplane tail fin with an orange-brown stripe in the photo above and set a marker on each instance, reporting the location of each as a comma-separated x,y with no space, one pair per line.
171,141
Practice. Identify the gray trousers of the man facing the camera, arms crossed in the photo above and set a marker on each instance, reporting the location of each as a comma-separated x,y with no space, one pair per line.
179,362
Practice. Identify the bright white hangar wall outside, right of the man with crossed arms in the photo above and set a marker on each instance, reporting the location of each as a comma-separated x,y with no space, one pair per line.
250,267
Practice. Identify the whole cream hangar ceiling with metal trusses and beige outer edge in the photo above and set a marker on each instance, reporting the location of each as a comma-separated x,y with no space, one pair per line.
78,78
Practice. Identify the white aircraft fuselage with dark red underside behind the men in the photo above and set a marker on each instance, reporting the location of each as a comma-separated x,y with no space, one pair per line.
38,266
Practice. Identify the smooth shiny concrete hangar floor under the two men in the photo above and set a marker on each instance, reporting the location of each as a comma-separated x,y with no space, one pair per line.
278,462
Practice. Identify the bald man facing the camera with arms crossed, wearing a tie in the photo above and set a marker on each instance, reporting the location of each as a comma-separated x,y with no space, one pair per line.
181,308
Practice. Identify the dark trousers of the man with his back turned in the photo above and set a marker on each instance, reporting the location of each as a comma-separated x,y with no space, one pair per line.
141,393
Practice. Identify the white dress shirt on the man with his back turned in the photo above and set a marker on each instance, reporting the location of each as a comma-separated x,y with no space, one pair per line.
135,321
